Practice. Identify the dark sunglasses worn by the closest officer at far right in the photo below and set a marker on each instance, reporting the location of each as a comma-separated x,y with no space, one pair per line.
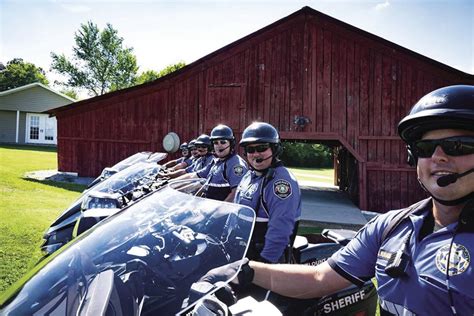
452,146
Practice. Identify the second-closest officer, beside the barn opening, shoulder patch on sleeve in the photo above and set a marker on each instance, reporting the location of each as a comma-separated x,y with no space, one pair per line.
271,190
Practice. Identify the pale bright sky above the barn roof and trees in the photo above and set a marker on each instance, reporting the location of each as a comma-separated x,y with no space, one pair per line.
165,32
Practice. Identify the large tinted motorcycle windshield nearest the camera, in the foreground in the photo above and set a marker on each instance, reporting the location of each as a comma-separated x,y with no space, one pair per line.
141,261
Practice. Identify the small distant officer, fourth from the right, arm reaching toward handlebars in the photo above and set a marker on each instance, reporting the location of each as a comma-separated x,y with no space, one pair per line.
204,157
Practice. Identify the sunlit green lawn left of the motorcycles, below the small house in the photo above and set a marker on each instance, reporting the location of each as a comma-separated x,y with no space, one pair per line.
27,207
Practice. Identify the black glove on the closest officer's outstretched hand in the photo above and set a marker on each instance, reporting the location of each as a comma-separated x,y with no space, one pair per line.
226,272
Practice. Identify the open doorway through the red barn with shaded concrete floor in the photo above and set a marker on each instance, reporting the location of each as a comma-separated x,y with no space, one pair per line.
329,199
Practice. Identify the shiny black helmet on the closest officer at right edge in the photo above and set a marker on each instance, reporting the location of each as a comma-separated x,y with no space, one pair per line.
448,107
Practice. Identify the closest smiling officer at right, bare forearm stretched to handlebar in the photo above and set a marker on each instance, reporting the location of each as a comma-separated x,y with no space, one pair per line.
421,256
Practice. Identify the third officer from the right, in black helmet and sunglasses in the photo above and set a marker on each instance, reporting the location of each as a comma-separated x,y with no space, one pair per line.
225,172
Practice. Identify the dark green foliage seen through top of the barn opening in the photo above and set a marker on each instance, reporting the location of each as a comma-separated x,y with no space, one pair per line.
307,155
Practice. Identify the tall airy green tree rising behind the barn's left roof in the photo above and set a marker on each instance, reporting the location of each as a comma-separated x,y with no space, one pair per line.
100,62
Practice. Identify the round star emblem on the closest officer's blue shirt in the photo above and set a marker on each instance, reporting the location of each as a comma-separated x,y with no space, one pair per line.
459,259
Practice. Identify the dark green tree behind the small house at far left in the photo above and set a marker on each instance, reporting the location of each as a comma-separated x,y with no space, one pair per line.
18,73
